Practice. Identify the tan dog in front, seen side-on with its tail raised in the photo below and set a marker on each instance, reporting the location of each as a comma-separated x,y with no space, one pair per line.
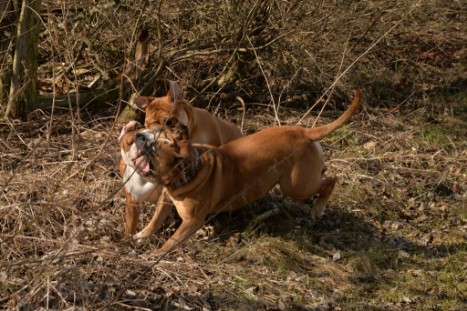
202,180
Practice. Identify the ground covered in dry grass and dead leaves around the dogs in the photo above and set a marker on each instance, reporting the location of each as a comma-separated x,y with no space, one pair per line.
394,236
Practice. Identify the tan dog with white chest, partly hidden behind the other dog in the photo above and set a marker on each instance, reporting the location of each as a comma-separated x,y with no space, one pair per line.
173,111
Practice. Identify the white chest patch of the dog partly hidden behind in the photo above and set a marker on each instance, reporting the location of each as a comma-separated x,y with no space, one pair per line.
140,188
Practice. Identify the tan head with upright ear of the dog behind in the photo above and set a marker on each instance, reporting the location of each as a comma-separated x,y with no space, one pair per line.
171,110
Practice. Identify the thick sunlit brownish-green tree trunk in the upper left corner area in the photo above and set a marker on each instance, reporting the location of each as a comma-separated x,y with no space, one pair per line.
23,92
